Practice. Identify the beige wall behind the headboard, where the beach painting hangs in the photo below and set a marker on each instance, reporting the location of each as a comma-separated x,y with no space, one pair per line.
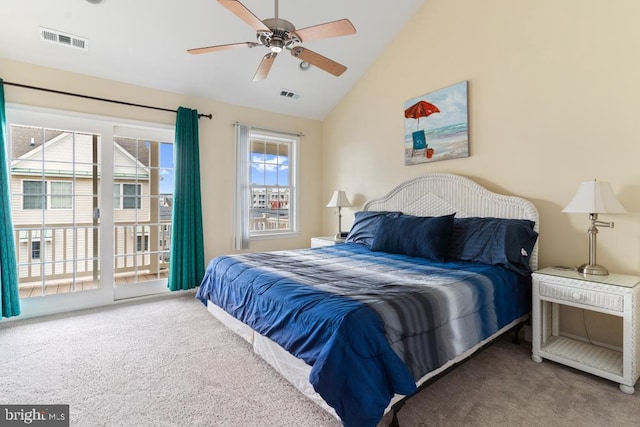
553,101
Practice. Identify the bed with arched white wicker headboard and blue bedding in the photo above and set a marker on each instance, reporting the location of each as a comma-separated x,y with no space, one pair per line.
429,273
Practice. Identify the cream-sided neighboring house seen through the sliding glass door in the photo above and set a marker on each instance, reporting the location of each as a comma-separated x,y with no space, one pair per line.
54,177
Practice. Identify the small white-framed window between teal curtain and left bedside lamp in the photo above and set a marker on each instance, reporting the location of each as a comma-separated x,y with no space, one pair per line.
271,192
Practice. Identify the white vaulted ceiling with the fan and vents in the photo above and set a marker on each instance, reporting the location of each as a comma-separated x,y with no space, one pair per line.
144,42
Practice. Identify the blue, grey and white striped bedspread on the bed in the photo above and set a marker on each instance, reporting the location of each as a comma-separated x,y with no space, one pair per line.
370,324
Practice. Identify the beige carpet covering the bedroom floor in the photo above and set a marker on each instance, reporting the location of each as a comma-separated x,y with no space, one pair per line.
168,362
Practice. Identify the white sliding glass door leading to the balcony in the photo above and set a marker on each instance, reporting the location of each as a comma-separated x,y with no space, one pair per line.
90,211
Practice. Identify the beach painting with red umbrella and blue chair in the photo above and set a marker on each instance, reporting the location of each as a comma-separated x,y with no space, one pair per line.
436,126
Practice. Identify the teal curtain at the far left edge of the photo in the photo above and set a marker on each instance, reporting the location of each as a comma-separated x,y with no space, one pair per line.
8,265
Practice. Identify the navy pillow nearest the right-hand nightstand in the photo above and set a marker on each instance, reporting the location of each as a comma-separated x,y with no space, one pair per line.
494,241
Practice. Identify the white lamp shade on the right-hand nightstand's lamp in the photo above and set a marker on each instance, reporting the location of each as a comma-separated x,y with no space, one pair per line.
594,197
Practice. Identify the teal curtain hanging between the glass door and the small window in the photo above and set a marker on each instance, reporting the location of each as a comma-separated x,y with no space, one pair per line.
187,248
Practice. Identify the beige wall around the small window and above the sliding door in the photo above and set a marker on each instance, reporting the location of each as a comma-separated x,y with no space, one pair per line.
216,142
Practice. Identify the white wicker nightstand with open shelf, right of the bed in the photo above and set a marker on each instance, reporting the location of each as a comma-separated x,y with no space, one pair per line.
615,294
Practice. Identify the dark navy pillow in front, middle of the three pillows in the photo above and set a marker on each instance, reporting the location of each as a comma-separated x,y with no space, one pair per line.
425,237
